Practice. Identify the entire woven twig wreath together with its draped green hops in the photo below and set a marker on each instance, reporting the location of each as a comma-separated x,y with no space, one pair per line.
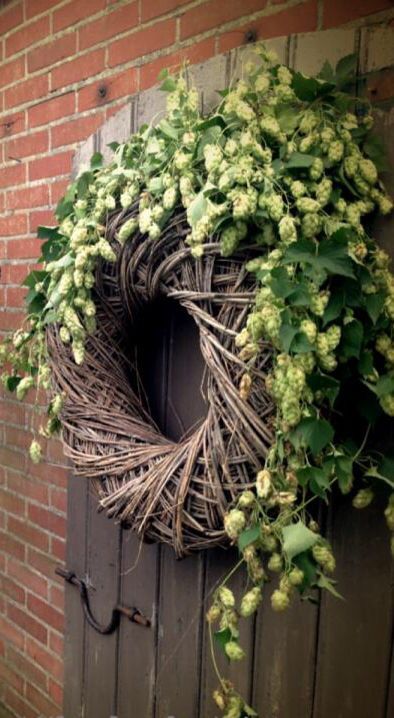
256,219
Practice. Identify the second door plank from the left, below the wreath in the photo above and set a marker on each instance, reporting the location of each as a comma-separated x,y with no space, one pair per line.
103,580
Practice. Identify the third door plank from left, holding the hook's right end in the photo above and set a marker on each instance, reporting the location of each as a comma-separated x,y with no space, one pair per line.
137,645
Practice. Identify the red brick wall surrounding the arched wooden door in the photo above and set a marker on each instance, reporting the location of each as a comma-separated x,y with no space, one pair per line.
55,56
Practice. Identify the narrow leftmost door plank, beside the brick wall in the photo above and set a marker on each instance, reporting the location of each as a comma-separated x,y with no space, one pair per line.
75,622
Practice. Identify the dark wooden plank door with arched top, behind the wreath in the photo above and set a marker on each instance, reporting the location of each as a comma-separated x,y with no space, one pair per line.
316,661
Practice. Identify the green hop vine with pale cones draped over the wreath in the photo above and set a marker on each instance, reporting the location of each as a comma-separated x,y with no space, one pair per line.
288,163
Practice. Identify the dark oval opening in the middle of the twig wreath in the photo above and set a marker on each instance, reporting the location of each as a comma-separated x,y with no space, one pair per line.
171,368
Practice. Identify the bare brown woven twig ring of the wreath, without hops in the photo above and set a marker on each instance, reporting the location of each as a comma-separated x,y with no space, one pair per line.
172,492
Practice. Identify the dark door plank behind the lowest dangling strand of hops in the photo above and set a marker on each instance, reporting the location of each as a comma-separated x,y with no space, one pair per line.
219,564
